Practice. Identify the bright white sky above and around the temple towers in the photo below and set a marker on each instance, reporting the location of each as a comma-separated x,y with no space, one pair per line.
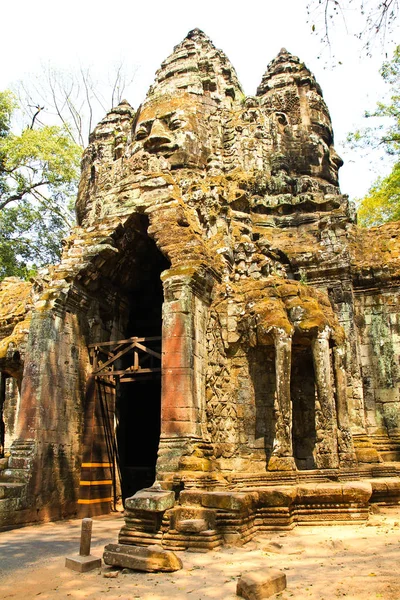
250,32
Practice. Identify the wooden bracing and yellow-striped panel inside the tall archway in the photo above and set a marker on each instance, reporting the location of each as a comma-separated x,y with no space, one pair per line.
113,363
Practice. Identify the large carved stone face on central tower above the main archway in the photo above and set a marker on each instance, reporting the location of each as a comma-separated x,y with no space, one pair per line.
177,129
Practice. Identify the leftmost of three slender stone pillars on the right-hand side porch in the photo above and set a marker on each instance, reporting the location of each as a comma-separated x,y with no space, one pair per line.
282,454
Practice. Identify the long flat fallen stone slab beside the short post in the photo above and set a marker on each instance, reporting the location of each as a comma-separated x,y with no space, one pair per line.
141,558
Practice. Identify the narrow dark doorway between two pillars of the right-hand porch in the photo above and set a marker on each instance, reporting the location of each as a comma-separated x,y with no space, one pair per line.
303,394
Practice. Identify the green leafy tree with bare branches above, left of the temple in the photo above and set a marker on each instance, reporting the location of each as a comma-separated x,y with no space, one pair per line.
39,165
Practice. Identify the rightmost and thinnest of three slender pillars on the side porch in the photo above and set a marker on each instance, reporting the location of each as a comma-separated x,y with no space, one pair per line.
347,456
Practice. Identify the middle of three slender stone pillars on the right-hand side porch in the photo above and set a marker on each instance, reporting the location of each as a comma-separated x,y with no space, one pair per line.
326,446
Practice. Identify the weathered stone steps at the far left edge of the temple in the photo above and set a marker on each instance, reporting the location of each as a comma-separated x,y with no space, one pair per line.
14,475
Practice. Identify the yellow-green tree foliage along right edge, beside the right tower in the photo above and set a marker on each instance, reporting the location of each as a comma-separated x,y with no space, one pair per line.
382,203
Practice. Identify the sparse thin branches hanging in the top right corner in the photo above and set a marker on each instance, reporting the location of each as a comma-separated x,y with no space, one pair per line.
368,20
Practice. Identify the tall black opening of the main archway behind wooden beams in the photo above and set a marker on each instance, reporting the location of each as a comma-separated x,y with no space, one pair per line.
138,402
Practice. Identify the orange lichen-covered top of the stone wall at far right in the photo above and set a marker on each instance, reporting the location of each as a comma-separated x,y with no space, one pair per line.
376,248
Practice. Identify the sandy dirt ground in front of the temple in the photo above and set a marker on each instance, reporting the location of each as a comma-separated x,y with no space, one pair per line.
359,562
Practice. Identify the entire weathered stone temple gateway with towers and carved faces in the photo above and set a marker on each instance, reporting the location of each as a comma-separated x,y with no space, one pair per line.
219,334
